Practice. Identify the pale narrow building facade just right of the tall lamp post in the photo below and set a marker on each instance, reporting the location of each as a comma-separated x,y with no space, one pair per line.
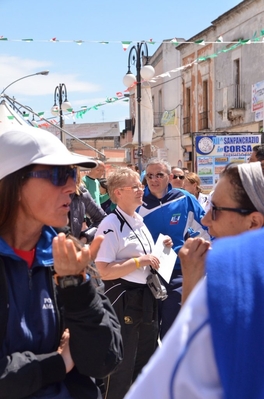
167,104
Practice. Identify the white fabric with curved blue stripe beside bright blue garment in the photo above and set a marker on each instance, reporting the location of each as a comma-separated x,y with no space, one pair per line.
184,367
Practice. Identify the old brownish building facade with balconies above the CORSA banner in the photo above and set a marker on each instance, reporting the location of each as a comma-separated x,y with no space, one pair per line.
223,65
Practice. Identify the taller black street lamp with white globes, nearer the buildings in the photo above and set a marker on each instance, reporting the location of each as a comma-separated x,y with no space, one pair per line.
146,72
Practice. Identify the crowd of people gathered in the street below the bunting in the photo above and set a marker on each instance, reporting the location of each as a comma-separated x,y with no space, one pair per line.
196,335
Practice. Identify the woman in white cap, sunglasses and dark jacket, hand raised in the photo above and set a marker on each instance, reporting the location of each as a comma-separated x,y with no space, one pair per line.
51,338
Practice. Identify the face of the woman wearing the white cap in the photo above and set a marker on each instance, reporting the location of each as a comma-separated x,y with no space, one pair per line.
42,203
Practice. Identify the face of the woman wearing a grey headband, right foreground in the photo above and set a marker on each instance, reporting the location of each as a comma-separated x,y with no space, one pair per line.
226,223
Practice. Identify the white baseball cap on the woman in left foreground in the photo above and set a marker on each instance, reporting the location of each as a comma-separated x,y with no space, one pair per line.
27,145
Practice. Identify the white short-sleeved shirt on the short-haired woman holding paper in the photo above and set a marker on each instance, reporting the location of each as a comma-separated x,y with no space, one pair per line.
122,245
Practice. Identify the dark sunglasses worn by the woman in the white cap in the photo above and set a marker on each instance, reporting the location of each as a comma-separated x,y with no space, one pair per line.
58,175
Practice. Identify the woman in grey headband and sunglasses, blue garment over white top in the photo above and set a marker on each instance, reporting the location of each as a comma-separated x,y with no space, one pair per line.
214,349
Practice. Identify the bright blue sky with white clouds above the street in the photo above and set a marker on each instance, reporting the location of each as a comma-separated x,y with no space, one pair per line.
92,72
